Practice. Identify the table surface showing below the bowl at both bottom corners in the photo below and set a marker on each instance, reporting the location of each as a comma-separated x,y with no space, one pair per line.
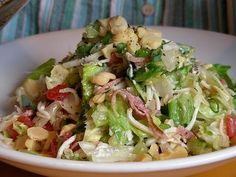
227,169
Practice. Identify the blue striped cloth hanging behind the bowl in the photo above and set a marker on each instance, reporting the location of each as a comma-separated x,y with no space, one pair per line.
40,16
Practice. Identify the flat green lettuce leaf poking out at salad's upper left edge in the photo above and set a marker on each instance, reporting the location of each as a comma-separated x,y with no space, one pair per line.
42,70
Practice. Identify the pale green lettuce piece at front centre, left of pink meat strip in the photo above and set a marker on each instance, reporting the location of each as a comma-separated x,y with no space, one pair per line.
116,119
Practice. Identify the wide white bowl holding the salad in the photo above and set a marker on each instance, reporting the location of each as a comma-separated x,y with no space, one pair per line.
19,57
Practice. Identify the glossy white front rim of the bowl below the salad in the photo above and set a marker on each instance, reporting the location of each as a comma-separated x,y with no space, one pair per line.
117,167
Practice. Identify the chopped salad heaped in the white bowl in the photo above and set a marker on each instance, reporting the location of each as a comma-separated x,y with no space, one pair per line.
124,94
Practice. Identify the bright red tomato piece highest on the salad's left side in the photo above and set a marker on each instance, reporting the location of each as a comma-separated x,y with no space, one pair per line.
54,93
